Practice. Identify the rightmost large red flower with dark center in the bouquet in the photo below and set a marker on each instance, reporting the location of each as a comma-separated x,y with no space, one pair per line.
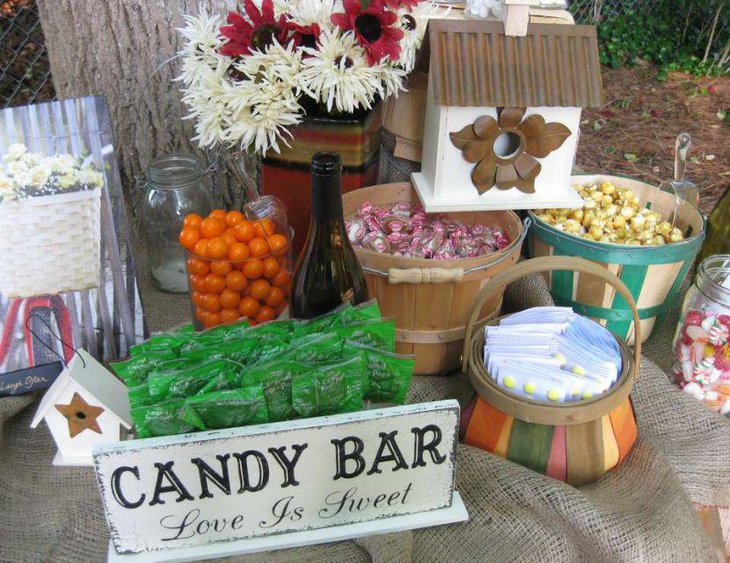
373,29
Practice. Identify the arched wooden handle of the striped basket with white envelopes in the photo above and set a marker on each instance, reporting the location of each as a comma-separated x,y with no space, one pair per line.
550,264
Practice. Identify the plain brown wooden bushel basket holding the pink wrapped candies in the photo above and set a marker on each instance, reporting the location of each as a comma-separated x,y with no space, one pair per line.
432,299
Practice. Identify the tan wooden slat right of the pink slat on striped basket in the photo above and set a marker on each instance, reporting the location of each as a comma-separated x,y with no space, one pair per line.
584,448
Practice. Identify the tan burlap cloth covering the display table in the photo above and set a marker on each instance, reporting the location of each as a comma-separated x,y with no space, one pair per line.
643,511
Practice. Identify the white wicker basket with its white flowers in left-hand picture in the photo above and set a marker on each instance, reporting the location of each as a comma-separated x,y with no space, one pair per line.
50,223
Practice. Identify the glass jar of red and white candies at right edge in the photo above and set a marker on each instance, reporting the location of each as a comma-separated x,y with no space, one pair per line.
702,341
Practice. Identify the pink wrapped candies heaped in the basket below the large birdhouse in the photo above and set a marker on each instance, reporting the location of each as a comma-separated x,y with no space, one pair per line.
406,230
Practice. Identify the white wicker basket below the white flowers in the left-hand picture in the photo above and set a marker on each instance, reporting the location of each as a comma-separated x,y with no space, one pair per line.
50,244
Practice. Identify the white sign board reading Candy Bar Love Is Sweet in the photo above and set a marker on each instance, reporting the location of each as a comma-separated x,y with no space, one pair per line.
216,486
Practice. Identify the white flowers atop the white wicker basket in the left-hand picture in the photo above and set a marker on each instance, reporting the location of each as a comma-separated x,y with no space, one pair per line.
26,174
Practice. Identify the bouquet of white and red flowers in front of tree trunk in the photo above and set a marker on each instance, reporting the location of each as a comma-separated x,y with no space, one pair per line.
246,82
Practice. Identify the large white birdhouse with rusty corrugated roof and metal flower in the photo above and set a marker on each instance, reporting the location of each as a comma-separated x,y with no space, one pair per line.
503,112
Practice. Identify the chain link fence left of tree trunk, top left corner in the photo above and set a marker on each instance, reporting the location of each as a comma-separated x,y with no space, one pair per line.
25,74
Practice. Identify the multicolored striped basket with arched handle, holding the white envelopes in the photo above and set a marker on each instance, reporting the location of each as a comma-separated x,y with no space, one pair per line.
573,442
